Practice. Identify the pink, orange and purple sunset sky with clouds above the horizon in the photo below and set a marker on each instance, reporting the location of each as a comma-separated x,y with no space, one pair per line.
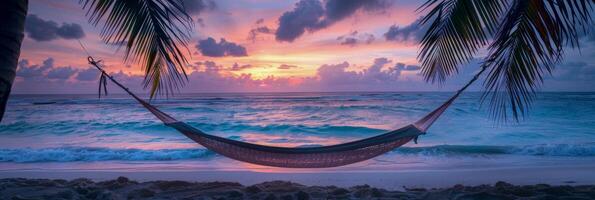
264,46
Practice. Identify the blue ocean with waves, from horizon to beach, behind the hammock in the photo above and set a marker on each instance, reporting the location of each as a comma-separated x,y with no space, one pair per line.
82,132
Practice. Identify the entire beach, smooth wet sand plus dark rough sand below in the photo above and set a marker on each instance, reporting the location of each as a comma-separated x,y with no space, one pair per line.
495,183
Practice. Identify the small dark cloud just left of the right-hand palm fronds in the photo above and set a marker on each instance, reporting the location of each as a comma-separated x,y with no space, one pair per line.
410,33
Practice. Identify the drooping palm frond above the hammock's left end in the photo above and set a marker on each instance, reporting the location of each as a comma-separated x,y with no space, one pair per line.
155,34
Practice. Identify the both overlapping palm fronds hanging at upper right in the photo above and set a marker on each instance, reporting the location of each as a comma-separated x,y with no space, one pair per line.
524,40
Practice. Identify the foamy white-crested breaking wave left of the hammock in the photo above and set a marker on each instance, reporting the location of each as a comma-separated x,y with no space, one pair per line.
74,154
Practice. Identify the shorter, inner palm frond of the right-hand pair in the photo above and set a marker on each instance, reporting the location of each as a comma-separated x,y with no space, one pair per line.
457,29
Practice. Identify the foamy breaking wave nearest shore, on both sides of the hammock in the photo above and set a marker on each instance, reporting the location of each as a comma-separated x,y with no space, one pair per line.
90,154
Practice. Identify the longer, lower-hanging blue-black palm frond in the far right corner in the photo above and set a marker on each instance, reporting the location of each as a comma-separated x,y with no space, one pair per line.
527,46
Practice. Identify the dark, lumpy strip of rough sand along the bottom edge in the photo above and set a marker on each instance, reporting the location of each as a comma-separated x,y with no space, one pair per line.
122,187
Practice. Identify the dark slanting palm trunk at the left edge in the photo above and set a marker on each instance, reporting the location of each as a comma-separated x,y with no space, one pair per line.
12,20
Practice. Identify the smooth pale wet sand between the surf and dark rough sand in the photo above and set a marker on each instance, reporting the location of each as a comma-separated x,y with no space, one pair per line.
390,180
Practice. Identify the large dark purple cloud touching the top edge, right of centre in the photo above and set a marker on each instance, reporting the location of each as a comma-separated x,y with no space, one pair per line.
310,15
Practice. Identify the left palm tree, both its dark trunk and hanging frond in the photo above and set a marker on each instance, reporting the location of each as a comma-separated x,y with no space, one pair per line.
155,34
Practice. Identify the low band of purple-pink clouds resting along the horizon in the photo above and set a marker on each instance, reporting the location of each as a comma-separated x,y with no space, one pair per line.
209,76
